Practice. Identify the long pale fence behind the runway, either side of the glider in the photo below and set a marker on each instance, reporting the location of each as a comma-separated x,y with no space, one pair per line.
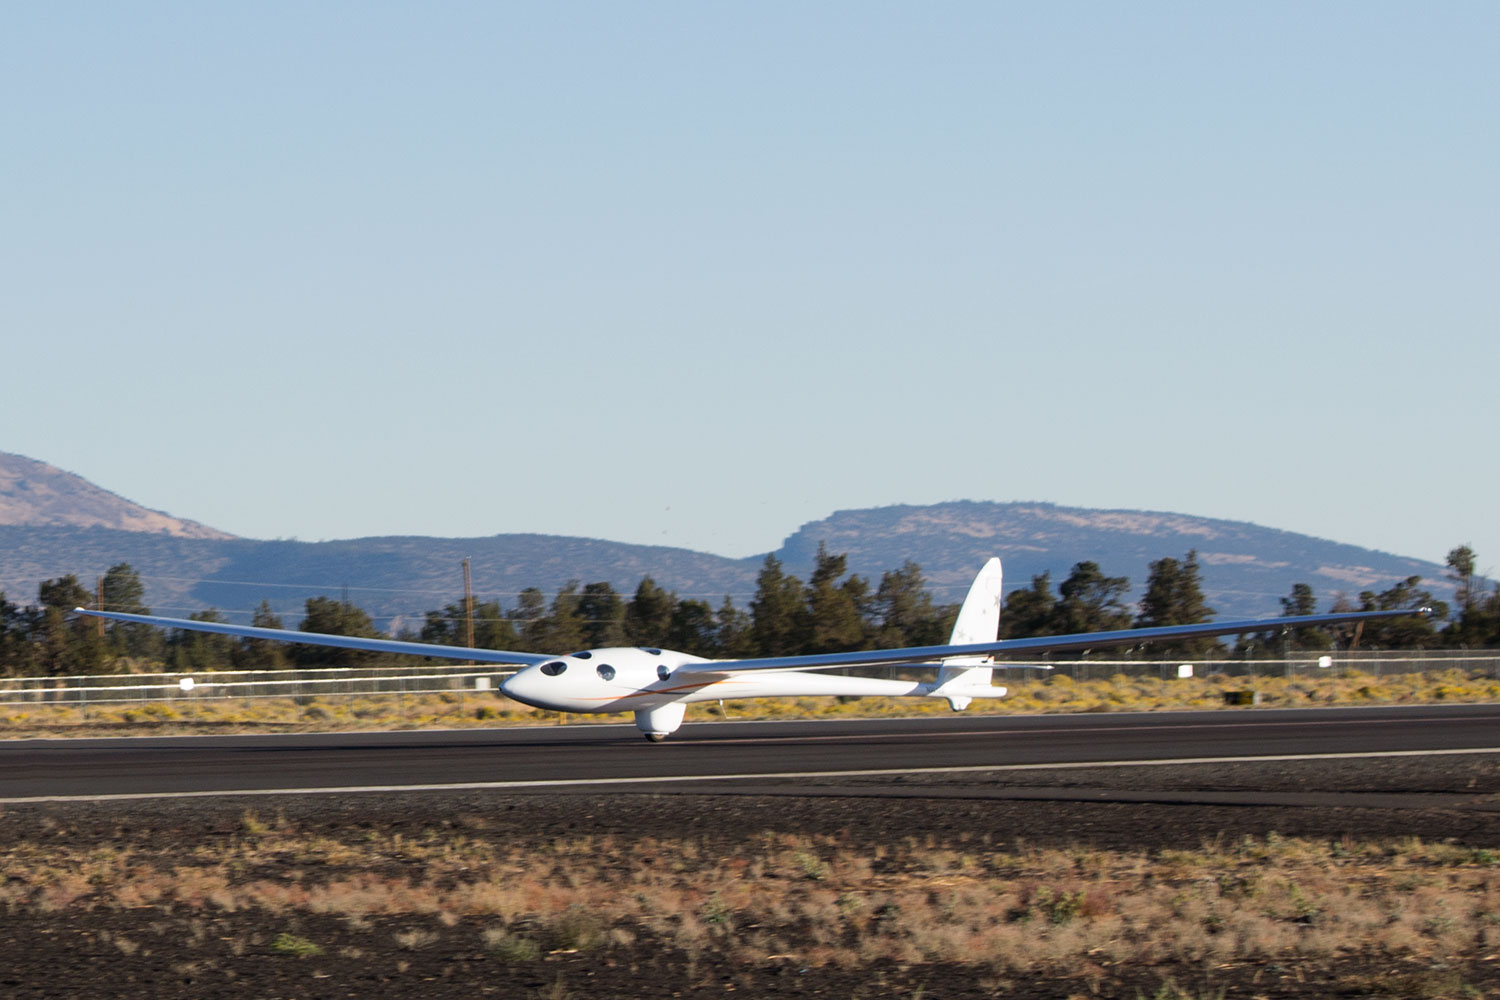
194,689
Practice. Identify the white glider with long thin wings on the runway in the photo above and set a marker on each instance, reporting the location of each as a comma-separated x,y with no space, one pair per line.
659,684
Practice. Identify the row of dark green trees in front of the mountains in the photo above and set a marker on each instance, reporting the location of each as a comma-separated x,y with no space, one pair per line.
833,611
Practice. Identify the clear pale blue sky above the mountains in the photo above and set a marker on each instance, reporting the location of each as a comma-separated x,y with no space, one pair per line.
697,274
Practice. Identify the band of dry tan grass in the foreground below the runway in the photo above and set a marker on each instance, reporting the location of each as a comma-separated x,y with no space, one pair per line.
1058,909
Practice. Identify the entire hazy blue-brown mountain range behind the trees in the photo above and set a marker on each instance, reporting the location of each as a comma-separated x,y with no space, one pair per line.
53,524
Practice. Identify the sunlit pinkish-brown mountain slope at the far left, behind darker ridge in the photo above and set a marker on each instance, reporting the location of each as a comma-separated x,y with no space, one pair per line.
35,494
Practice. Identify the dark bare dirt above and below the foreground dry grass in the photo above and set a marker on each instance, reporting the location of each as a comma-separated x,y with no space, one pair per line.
167,951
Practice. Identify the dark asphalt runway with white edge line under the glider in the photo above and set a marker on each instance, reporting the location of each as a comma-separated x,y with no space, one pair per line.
829,758
